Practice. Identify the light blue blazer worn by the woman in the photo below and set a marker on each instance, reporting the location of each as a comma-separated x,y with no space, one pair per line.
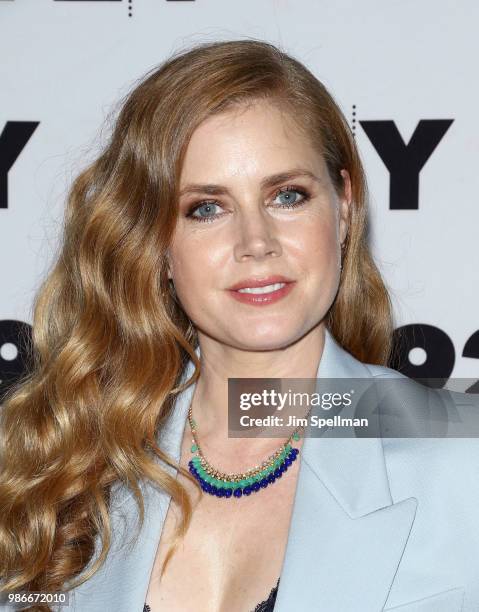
377,524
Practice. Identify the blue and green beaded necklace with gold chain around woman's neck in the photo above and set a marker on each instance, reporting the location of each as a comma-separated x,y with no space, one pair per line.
220,484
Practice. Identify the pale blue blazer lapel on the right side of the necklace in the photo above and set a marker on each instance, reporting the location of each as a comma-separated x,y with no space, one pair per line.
346,535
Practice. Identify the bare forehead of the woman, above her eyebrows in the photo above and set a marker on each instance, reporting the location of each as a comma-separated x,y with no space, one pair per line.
256,139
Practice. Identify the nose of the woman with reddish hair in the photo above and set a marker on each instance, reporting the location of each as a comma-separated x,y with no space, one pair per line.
256,237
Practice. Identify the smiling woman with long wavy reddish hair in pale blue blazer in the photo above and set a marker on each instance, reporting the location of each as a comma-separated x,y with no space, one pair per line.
229,166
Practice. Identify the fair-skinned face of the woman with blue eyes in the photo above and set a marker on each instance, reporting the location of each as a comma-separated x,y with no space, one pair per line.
239,220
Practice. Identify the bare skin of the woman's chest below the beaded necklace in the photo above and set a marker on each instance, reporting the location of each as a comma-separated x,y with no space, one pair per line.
231,555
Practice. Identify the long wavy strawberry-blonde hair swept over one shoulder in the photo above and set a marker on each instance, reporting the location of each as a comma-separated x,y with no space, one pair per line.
110,340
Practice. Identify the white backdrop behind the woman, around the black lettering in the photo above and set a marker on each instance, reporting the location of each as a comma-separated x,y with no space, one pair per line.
390,65
